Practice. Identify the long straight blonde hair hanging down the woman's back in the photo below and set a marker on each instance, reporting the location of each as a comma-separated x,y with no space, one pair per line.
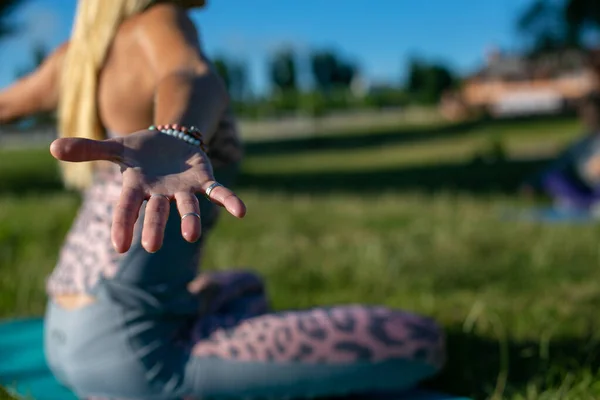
96,24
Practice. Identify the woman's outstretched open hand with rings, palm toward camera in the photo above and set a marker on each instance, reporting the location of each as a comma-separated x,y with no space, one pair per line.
158,168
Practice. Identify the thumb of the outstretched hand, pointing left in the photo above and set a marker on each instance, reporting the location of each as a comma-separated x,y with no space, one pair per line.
79,149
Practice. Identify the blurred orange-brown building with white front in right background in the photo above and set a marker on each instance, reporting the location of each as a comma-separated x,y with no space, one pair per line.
512,85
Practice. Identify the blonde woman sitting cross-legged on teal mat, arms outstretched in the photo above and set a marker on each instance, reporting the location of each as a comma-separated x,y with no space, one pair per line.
134,321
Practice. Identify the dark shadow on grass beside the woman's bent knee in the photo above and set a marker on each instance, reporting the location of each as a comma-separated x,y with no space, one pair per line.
479,366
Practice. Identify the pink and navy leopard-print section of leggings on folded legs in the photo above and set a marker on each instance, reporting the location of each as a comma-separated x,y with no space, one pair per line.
240,328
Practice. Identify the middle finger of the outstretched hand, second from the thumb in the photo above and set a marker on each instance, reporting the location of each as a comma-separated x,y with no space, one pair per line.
155,222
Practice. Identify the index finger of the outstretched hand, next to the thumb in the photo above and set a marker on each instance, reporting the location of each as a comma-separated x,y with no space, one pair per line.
125,215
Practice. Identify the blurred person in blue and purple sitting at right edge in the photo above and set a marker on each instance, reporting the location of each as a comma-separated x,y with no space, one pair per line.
572,180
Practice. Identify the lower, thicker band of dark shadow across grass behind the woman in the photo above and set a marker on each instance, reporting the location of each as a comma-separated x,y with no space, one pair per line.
470,177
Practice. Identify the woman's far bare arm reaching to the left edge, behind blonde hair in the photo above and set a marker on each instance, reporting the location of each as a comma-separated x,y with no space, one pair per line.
37,92
